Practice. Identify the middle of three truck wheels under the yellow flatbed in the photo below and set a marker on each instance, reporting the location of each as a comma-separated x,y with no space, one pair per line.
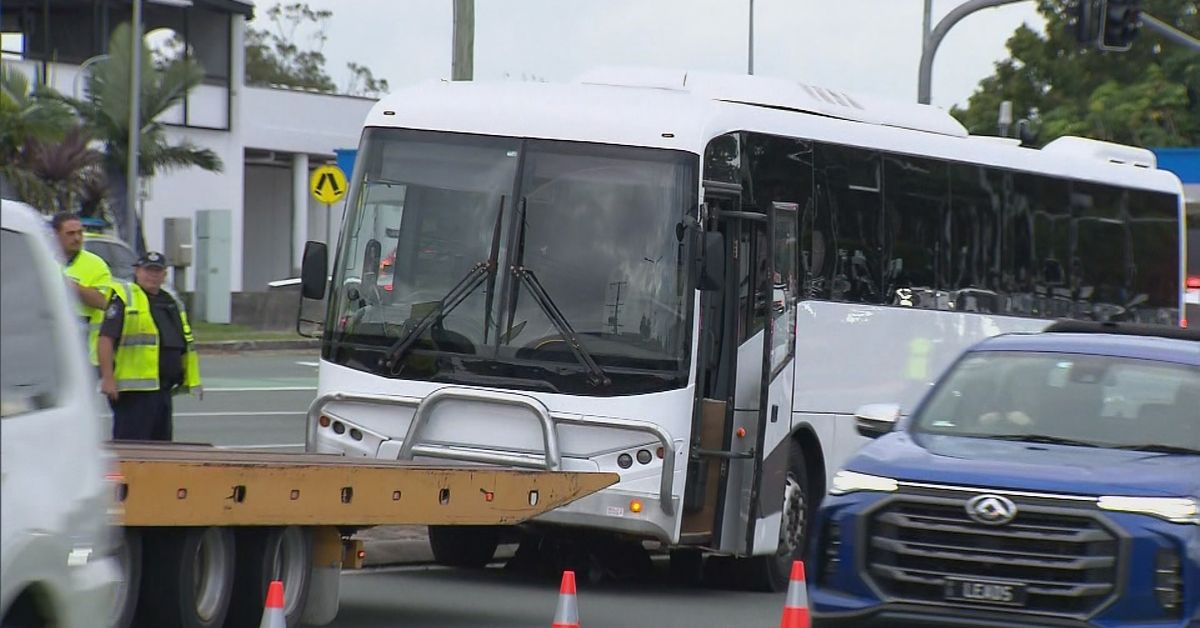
189,578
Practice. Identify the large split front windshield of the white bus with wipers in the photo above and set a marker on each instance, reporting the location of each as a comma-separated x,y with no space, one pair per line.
538,265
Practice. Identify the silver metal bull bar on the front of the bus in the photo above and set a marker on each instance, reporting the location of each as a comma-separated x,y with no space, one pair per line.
553,460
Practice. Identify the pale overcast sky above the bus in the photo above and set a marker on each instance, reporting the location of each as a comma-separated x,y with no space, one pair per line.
855,46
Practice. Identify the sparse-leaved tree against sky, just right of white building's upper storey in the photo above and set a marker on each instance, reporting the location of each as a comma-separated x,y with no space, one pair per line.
273,57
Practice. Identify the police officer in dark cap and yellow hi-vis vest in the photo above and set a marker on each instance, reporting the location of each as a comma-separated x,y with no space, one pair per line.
146,355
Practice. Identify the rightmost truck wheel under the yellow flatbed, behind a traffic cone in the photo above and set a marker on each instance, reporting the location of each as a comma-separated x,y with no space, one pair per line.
271,554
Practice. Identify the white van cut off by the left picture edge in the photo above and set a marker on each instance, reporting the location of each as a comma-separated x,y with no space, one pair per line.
57,541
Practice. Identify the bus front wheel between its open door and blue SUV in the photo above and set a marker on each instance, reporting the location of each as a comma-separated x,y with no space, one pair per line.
771,573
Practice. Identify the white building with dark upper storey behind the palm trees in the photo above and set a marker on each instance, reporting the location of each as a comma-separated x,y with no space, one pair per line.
269,140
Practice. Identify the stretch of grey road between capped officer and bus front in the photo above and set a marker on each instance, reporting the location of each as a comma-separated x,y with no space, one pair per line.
255,399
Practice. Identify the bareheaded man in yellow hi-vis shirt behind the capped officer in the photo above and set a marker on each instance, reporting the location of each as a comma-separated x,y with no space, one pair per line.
89,276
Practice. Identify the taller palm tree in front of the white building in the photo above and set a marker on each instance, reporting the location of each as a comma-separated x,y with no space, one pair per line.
107,115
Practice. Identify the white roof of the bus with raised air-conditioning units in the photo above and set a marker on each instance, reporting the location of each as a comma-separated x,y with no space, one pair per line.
685,111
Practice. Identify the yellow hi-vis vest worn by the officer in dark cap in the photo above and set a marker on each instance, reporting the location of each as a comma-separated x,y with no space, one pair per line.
137,354
